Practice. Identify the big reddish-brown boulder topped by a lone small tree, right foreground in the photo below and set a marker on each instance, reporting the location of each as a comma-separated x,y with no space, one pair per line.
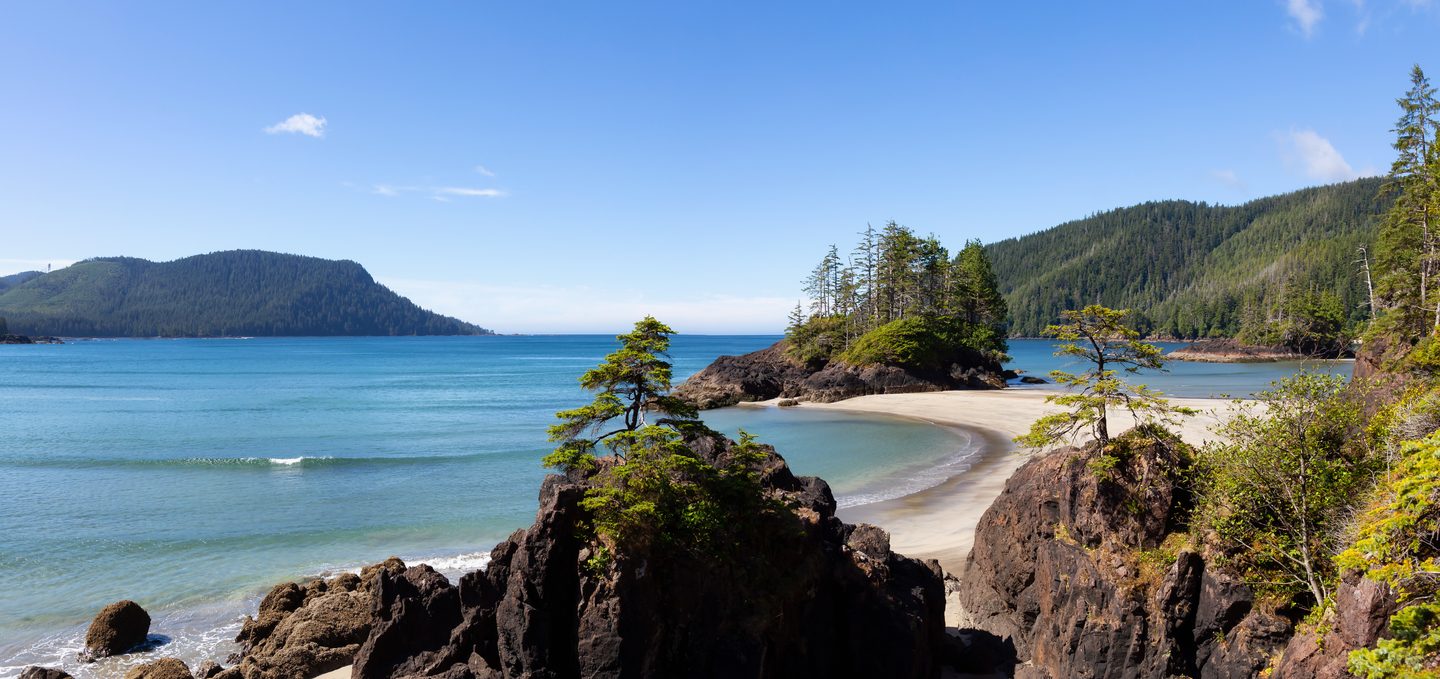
1056,570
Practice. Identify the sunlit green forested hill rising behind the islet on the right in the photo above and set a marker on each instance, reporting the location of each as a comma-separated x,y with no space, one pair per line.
1194,270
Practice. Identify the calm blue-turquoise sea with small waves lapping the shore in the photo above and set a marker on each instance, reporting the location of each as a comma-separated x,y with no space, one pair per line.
191,475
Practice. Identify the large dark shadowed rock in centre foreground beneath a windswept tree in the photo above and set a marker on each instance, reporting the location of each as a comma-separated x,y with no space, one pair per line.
814,598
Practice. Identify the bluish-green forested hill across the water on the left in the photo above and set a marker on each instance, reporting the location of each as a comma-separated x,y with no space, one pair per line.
224,294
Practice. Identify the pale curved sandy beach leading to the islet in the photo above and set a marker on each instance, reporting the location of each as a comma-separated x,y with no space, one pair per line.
940,523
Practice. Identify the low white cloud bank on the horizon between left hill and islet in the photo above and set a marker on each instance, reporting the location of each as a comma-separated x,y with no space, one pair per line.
513,309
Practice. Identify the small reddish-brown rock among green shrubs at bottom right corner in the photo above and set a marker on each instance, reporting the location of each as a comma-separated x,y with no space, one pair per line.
1360,618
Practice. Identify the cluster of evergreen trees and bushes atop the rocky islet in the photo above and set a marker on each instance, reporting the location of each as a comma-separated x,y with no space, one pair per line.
899,300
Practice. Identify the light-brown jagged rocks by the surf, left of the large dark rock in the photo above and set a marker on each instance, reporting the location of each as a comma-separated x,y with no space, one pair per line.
306,631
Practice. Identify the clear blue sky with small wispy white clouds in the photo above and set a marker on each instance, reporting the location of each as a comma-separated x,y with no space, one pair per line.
561,168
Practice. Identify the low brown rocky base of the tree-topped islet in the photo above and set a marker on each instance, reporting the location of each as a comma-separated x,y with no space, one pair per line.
773,375
